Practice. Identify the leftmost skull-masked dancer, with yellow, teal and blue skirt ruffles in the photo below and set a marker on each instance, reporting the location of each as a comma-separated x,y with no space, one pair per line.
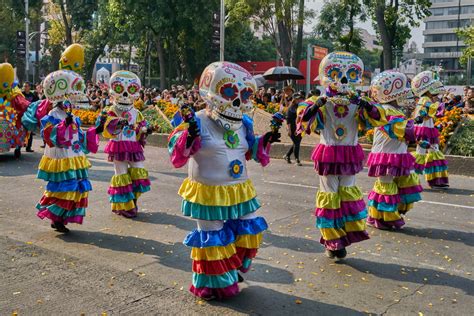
64,164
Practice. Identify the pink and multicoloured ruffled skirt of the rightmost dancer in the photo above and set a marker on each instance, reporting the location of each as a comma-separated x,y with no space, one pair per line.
431,162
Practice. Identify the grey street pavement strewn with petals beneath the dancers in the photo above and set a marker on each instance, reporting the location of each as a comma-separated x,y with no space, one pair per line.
139,266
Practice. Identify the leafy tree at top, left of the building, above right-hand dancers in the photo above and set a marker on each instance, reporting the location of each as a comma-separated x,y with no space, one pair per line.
393,20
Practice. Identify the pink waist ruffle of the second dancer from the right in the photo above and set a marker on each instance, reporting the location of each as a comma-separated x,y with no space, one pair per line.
382,164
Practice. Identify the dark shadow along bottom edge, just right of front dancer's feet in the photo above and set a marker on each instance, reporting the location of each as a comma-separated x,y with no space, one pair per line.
264,301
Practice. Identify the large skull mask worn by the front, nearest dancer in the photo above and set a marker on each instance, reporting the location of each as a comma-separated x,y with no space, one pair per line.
227,89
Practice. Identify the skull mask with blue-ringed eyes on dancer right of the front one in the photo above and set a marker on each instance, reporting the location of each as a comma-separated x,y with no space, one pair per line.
341,71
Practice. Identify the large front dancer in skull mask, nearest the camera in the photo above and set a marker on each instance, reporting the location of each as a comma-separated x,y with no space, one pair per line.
217,142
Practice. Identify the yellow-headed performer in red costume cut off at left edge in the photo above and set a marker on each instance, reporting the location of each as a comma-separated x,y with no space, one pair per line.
12,107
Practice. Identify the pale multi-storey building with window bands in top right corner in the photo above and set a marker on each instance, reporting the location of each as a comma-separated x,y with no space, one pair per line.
442,47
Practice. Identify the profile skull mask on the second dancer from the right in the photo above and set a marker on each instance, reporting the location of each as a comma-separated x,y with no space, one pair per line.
390,86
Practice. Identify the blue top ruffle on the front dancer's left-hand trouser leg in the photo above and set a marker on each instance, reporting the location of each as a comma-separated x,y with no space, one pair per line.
203,239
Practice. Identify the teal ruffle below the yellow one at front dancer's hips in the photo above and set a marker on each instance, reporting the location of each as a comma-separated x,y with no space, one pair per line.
219,213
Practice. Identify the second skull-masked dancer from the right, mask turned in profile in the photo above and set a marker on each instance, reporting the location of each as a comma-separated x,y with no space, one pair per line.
397,187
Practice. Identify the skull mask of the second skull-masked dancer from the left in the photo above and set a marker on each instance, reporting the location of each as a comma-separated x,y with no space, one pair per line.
124,88
